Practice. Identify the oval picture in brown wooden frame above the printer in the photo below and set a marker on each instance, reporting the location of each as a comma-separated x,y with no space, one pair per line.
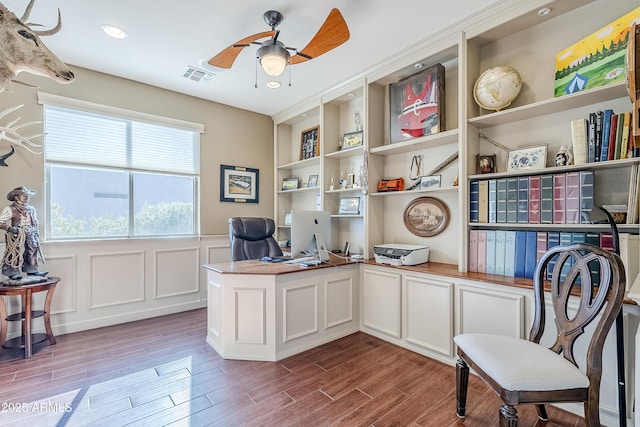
426,216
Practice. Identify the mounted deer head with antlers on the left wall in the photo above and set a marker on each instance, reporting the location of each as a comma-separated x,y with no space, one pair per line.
22,50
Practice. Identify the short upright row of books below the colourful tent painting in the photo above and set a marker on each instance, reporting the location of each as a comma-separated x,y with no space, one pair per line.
603,136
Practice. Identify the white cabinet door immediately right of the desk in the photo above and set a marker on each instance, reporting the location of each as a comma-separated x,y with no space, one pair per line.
381,301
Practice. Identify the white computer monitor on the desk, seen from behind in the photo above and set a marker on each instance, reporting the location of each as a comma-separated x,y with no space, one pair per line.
304,226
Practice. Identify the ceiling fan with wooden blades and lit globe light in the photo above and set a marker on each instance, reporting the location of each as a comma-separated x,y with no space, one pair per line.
274,55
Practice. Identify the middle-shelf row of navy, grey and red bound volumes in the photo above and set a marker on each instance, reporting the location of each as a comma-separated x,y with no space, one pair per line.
556,198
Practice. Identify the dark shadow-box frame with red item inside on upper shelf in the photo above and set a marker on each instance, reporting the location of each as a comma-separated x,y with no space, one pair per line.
417,105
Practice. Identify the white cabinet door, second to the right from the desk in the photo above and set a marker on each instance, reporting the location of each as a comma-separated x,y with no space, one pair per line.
428,314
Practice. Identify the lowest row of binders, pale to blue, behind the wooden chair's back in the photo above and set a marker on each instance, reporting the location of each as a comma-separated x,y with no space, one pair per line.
516,253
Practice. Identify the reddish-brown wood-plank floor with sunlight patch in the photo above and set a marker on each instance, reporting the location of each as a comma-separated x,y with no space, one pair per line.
160,371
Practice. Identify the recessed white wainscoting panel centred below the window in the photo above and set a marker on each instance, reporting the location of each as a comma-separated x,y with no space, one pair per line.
116,278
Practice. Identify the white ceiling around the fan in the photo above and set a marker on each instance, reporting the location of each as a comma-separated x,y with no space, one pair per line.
165,37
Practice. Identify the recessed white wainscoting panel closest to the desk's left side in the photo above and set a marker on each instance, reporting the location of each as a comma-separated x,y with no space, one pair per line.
176,272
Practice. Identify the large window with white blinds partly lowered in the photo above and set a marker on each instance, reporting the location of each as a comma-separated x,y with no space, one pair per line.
114,176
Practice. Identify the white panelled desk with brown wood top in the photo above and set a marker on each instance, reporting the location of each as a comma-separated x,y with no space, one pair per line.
269,311
